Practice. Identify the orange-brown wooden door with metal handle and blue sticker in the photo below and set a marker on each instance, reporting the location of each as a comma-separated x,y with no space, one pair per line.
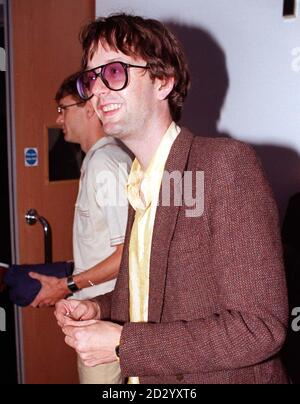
44,49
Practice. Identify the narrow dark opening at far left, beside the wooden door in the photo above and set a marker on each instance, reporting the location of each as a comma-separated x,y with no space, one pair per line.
8,367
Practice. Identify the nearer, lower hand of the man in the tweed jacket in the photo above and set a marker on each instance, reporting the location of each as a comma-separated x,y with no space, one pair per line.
94,341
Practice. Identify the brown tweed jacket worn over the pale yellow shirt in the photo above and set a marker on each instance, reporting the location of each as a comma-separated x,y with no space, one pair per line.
218,302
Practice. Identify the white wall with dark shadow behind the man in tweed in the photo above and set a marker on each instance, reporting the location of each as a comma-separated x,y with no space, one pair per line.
249,52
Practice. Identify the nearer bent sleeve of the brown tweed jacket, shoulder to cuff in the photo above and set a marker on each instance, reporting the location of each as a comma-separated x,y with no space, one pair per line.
250,325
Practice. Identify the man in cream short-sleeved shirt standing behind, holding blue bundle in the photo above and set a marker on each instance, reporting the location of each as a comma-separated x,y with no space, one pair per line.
100,215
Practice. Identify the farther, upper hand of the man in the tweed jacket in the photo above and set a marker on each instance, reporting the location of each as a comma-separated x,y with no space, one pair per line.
70,312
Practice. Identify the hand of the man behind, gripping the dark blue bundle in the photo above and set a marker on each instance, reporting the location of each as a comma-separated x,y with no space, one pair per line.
53,289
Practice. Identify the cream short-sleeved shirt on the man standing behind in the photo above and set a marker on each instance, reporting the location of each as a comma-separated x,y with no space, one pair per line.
101,210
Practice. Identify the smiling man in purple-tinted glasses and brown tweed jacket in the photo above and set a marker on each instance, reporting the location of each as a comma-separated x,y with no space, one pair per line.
200,296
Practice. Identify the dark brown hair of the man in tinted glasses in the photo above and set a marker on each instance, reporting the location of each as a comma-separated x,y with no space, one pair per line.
145,38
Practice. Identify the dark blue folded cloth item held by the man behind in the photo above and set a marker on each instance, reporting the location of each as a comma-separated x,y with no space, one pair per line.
23,289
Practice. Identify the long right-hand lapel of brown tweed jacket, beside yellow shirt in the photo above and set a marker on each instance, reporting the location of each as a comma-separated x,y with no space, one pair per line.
164,226
